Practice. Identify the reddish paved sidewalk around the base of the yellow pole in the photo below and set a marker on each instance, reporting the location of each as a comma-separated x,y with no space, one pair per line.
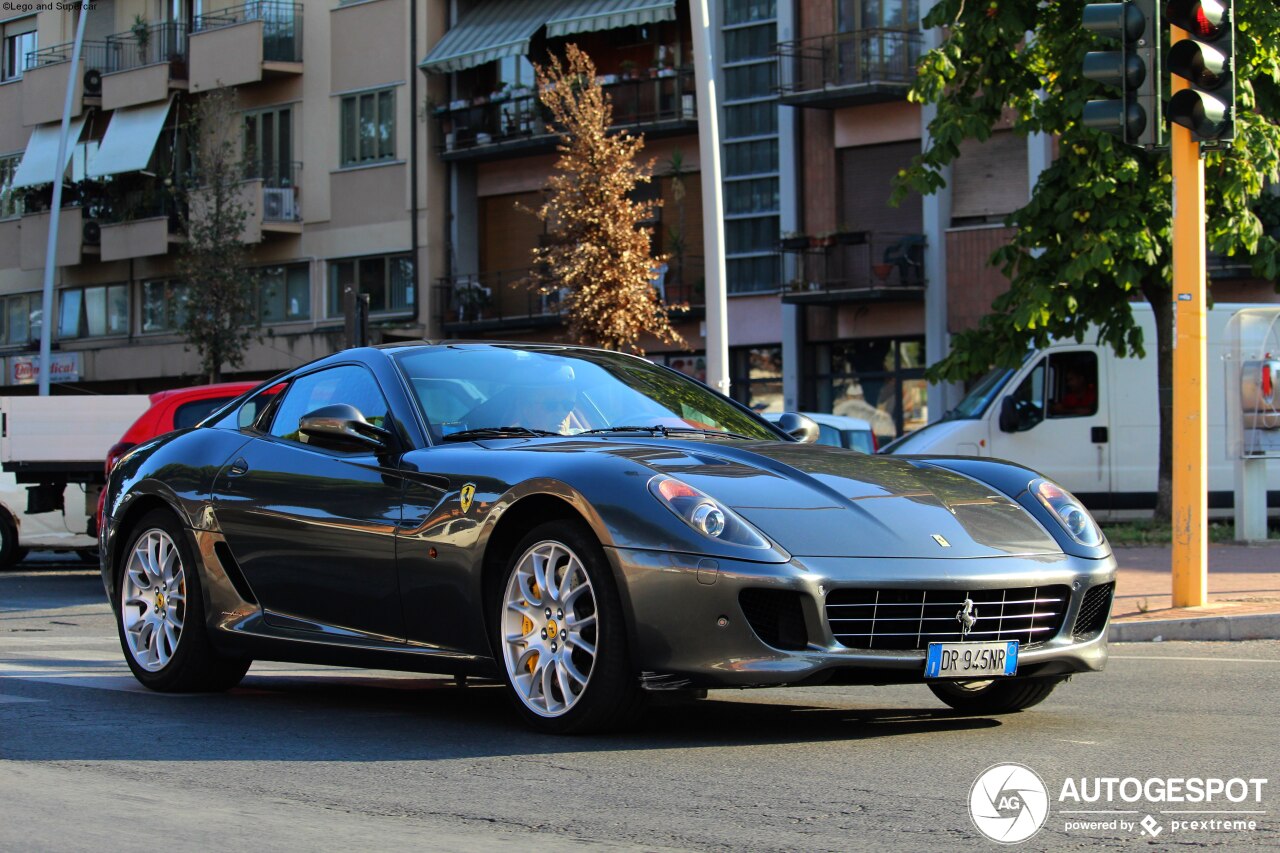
1244,596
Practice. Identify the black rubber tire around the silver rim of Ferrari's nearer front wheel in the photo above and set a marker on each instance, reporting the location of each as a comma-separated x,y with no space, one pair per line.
611,699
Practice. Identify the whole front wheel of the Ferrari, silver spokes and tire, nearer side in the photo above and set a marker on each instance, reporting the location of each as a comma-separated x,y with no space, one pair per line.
561,635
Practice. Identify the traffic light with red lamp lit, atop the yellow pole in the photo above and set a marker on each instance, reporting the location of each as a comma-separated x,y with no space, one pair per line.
1206,61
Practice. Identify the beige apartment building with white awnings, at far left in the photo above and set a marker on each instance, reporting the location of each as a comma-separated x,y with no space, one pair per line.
336,179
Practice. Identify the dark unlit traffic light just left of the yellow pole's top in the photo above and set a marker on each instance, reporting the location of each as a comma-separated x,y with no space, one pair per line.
1135,70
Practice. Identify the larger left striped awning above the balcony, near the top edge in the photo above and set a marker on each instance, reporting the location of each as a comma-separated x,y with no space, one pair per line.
491,31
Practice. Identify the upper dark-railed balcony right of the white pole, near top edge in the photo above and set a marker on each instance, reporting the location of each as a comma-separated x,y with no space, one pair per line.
849,69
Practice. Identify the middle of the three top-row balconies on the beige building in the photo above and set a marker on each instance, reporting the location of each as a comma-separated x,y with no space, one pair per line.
147,63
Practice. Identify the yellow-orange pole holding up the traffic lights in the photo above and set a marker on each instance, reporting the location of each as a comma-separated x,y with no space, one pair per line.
1191,431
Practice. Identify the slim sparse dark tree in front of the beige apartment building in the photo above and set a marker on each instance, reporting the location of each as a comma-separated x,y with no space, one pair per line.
214,261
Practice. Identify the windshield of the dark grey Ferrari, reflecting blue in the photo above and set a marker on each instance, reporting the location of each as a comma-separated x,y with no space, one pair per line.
495,390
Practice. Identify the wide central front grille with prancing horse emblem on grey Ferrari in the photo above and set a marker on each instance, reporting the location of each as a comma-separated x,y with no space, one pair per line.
912,619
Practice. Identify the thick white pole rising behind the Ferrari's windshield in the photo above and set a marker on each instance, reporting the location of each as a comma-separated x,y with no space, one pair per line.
714,200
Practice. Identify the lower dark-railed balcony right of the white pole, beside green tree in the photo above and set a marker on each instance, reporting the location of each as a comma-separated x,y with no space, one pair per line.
856,267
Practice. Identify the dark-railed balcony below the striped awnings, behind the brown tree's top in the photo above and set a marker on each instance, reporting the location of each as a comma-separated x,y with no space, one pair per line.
515,122
